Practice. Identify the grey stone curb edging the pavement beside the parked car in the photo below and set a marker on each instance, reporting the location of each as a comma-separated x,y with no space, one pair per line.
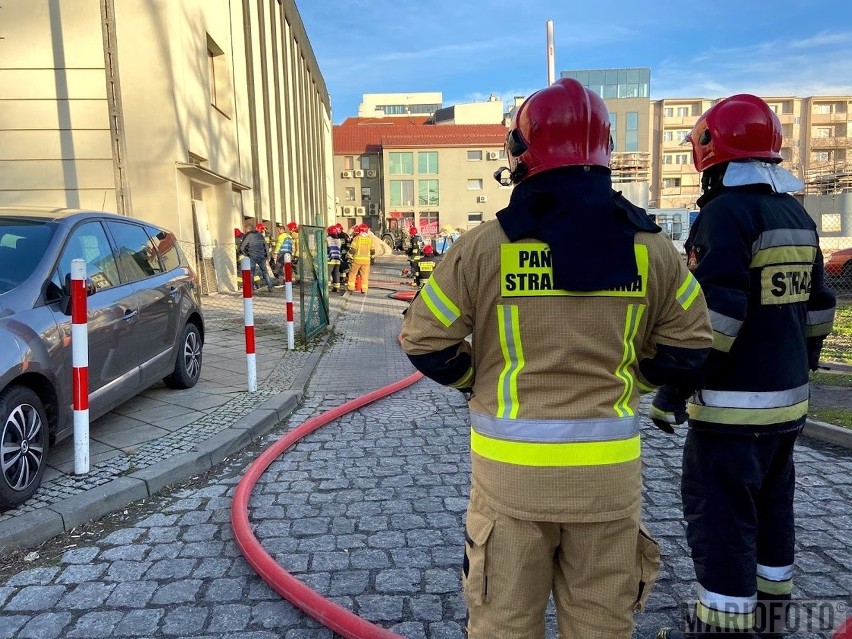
35,527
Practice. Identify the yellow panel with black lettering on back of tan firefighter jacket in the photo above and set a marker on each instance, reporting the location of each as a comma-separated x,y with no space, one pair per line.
526,270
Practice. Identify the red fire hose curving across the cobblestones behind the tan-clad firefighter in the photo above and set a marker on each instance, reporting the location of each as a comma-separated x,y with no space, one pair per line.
331,615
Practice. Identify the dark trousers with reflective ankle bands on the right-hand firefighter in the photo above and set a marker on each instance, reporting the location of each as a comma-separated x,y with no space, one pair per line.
737,495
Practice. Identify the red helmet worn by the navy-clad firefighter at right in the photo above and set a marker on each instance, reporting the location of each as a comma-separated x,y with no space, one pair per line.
737,128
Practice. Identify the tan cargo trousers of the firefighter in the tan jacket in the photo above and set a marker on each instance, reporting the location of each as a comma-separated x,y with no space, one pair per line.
598,572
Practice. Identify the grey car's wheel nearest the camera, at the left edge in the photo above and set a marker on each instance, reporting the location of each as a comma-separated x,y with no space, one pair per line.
24,441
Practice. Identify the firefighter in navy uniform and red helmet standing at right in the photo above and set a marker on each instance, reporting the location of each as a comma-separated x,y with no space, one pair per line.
755,252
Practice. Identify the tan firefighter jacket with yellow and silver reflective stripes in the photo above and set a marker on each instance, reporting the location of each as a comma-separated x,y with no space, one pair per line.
554,375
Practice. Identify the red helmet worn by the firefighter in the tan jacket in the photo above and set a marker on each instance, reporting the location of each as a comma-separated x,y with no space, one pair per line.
562,125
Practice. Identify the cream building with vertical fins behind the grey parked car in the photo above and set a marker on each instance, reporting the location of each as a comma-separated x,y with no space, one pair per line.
194,115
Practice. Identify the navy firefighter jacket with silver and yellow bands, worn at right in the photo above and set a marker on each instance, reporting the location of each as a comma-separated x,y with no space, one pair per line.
756,254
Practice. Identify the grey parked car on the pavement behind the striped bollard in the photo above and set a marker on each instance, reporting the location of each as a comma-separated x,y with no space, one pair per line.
144,325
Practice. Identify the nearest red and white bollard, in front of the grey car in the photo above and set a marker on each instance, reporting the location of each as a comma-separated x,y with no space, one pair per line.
80,366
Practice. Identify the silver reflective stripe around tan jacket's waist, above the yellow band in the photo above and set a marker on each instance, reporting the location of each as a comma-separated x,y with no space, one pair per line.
555,430
